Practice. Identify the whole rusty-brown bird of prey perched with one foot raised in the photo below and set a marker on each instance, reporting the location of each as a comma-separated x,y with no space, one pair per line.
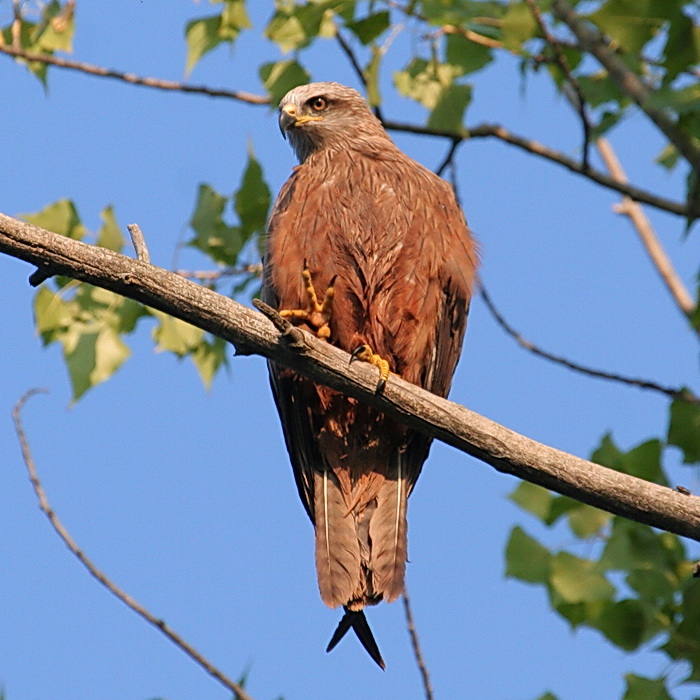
370,251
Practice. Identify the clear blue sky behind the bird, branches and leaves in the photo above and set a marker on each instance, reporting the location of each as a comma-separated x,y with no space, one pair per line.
186,498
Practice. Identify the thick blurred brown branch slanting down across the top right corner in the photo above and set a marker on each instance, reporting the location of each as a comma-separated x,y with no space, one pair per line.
593,42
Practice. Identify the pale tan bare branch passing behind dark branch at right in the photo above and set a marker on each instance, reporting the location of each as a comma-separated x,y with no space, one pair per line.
650,241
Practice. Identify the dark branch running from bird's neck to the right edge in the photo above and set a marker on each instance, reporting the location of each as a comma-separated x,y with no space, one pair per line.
539,149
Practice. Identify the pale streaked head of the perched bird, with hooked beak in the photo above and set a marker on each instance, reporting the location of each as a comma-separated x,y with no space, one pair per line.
321,116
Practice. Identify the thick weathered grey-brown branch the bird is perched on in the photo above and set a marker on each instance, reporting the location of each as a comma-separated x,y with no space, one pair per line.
251,332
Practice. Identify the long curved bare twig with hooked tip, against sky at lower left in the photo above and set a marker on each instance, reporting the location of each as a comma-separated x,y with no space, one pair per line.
124,597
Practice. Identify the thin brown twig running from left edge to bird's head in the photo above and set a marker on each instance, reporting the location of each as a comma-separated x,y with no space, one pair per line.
157,83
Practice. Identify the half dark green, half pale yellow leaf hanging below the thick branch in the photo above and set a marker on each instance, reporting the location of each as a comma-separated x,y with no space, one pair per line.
94,358
